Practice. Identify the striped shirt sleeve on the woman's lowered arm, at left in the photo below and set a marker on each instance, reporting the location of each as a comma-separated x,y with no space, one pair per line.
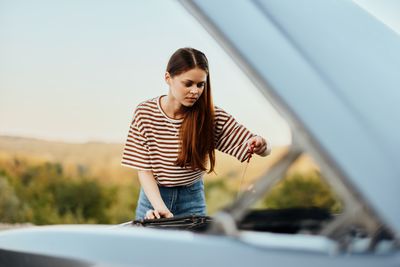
136,151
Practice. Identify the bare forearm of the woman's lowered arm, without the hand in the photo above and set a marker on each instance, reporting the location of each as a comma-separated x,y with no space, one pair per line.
150,187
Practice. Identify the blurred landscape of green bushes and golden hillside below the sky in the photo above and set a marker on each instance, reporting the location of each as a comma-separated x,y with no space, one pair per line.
73,187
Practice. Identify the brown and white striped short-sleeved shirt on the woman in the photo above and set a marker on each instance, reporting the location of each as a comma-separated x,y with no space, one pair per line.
153,143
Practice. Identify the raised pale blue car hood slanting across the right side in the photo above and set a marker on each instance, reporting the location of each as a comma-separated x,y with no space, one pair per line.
332,70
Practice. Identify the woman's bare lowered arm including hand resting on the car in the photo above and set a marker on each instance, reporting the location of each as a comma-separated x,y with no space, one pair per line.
152,192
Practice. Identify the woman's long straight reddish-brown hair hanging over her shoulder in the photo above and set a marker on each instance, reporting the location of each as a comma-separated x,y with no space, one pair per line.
197,130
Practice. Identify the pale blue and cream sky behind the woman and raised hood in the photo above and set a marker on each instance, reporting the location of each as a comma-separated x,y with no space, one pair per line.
75,70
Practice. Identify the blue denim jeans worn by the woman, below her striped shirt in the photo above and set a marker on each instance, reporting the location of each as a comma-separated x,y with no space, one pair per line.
180,200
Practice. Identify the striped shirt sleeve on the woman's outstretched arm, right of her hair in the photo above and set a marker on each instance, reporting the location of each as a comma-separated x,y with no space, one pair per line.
231,136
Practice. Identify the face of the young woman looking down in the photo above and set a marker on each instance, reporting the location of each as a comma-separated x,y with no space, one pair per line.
187,87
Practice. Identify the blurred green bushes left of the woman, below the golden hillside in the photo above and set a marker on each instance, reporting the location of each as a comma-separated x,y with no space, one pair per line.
43,194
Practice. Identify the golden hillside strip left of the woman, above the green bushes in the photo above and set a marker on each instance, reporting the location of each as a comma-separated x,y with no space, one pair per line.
93,159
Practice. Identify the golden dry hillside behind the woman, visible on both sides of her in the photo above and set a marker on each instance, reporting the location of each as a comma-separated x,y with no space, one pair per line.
102,160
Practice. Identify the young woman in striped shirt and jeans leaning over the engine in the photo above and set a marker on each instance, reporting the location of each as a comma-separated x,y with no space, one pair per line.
172,138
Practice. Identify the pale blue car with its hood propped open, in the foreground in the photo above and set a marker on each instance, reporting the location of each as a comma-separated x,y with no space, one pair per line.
332,70
